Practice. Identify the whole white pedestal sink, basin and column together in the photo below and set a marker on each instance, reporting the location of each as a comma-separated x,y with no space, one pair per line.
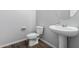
64,32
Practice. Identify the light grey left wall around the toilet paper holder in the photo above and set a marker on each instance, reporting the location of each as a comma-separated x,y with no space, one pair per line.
11,22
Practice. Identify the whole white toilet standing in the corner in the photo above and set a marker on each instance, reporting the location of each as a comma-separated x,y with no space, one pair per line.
34,37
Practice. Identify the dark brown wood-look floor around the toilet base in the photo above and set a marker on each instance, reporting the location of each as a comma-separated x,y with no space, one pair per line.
24,44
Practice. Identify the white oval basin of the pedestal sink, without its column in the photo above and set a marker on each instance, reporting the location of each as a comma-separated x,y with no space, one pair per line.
64,30
